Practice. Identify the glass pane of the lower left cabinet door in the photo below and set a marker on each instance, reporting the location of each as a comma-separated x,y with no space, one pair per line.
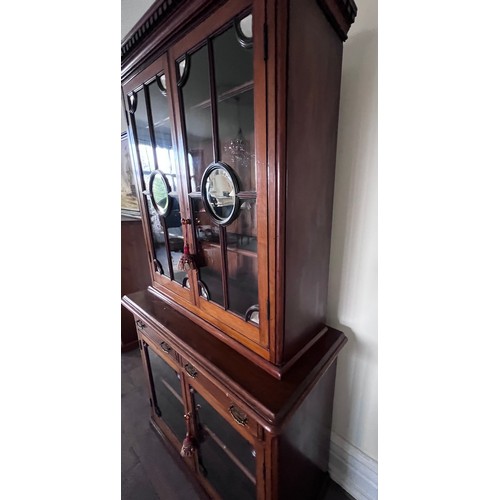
167,390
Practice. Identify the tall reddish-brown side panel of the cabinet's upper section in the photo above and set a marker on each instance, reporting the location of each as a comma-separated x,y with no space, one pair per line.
314,71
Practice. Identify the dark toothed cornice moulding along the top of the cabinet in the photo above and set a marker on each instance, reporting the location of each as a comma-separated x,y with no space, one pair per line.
166,20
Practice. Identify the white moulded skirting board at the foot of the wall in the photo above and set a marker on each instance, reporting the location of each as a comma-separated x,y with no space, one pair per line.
356,472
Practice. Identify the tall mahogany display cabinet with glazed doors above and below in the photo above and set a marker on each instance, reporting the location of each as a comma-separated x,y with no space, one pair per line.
233,112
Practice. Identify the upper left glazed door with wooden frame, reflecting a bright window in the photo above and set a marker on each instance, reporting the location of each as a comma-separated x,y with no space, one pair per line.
148,102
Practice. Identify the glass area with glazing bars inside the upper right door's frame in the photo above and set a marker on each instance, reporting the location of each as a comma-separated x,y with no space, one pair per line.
216,90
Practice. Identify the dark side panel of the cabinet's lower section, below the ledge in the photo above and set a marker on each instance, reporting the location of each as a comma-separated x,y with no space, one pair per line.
305,442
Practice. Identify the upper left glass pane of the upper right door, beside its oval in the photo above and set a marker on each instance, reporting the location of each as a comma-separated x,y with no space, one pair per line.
198,117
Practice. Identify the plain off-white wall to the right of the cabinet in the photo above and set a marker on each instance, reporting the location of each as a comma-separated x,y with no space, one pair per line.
352,301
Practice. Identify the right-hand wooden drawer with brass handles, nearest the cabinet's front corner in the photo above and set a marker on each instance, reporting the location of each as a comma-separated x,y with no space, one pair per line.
228,406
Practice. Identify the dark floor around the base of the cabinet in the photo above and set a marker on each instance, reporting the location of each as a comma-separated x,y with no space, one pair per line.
150,469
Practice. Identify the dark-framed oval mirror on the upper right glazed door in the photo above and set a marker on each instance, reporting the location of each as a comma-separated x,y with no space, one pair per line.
219,189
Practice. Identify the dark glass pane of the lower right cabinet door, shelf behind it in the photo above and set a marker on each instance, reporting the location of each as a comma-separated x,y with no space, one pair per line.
225,458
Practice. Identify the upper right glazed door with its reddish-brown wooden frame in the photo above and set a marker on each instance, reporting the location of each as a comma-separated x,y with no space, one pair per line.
220,100
